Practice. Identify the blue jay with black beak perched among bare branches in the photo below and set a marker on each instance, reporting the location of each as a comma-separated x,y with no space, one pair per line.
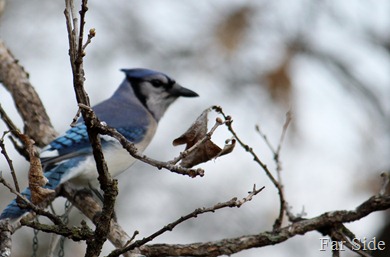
134,110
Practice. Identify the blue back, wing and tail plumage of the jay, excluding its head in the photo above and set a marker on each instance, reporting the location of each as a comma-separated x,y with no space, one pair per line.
69,150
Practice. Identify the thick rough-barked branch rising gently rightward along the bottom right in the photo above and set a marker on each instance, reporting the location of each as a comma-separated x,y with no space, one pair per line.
237,244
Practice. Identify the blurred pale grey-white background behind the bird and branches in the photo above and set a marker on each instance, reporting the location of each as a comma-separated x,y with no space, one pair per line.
327,61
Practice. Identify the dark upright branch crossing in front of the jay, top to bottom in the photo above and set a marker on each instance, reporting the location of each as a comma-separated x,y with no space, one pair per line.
107,184
